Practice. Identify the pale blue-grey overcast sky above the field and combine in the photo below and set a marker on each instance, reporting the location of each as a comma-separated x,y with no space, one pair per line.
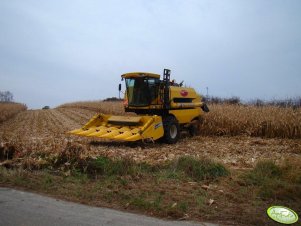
53,52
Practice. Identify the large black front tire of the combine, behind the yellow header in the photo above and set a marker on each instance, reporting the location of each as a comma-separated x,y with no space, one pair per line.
171,130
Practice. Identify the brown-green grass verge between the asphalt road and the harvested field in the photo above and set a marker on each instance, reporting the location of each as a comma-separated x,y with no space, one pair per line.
174,189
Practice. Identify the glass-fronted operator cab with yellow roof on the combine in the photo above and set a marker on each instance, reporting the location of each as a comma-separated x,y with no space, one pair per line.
142,88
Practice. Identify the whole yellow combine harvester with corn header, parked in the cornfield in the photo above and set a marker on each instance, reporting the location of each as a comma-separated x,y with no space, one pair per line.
163,109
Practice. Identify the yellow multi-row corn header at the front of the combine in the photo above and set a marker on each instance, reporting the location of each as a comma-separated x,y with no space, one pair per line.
126,128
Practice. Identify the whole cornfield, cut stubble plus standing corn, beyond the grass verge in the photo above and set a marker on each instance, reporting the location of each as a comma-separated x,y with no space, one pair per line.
36,139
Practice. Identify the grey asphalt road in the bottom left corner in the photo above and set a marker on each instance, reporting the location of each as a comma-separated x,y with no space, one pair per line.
18,208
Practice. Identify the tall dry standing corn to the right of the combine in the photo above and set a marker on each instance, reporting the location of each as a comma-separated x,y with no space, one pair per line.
266,121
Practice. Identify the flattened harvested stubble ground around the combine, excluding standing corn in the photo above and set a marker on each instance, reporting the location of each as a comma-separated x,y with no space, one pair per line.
45,130
